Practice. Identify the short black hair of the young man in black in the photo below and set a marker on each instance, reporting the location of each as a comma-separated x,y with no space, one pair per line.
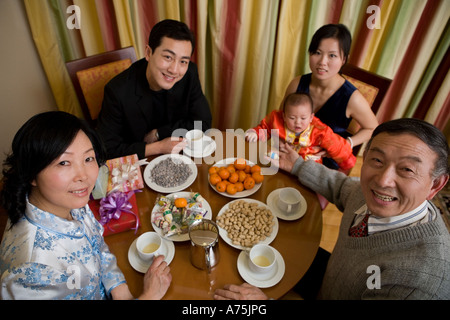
171,29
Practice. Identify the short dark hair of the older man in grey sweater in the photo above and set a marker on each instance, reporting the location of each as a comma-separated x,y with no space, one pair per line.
424,131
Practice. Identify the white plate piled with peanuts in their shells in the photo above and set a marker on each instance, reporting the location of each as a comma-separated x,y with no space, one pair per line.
246,222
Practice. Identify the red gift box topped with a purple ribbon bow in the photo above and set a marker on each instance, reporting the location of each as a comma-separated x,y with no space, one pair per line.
117,212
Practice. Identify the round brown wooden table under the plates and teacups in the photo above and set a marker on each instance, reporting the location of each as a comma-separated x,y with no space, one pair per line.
297,241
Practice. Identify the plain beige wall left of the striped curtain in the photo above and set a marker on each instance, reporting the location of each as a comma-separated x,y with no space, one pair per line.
24,90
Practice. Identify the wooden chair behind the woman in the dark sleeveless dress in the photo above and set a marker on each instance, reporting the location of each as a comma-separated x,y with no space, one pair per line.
373,87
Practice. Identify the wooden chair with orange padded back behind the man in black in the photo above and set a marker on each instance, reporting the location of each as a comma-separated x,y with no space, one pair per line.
90,75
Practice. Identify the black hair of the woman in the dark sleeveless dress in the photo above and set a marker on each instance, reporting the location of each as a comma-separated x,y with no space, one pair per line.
335,31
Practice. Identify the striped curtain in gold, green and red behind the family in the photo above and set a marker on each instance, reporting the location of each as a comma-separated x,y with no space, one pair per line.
248,51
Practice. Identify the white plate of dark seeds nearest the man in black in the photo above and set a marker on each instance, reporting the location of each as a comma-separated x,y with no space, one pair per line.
170,173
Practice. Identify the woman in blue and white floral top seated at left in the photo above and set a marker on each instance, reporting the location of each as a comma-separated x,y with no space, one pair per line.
53,246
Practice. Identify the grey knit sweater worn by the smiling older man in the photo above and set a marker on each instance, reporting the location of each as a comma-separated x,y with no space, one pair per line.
409,263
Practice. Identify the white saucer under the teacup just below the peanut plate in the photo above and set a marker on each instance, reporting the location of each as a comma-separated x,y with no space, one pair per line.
261,281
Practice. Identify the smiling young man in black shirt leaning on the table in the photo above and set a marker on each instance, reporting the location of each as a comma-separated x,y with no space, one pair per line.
158,94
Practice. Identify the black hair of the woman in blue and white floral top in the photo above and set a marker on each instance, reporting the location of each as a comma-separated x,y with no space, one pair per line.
42,139
